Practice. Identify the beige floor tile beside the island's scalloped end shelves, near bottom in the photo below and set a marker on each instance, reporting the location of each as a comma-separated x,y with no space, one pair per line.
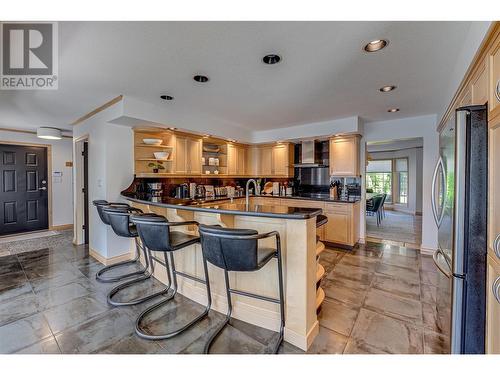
338,317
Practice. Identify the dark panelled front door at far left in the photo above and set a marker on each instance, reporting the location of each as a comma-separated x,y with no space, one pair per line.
23,189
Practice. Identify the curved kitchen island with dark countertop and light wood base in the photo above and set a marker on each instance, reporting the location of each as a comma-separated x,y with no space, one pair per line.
297,228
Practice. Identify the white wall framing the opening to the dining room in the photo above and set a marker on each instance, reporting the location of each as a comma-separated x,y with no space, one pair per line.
425,127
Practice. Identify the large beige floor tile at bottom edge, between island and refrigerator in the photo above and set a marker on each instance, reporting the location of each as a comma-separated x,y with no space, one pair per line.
387,334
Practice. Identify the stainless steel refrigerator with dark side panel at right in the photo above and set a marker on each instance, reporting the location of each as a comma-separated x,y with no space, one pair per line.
459,203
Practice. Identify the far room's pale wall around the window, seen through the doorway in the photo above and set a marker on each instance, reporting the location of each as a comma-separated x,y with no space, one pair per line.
414,180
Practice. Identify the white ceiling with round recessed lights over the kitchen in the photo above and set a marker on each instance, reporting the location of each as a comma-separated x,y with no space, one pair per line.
324,74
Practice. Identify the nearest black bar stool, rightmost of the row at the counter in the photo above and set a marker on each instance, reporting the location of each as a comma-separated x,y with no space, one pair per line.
238,250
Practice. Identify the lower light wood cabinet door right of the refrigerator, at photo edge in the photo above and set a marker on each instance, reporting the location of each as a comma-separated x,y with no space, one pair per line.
493,308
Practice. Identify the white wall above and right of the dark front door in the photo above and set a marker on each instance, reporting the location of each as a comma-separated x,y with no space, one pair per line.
62,192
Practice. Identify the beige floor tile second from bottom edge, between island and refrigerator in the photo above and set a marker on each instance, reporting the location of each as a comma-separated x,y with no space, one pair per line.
394,306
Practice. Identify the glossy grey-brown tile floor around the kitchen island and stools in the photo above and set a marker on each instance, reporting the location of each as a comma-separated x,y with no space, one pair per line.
380,299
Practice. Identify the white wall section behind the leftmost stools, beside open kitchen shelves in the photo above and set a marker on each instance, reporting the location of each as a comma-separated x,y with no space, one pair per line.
110,171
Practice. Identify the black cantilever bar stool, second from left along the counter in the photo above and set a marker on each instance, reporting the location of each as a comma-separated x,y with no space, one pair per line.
119,218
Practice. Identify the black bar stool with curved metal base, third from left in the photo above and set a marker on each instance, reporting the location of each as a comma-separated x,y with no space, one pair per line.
156,235
